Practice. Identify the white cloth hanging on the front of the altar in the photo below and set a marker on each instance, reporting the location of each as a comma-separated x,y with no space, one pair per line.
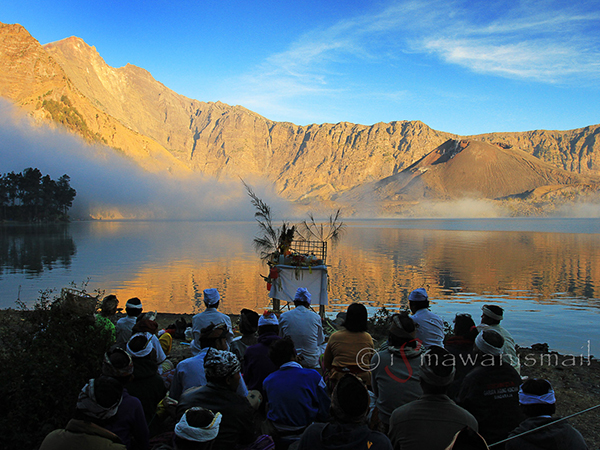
292,277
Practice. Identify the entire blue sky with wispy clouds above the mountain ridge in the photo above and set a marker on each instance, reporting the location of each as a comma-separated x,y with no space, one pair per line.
465,67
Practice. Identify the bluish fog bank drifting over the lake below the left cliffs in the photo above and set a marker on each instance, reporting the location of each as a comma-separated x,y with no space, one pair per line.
110,186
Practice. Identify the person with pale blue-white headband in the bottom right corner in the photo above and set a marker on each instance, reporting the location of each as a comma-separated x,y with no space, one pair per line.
538,402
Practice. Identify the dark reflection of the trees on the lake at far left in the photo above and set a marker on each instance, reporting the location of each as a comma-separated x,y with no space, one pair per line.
31,249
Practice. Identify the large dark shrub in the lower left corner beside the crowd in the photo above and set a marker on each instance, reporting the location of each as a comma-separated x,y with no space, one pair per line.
47,354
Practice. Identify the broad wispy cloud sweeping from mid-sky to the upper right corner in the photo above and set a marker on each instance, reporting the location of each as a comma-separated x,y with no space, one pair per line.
548,42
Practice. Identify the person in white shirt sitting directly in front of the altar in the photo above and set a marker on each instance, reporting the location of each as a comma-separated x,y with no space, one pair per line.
304,327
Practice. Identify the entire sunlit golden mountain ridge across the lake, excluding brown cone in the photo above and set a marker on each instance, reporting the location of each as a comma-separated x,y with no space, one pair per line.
128,109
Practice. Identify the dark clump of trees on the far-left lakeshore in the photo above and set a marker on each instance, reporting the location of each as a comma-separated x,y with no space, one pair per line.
28,196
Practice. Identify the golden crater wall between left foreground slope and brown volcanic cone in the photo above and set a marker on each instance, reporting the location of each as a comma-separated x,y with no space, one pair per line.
314,161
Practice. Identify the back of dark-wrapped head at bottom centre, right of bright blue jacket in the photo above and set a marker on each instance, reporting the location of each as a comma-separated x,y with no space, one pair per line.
350,400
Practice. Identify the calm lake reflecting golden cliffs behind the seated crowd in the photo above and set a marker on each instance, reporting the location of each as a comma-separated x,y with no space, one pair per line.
544,272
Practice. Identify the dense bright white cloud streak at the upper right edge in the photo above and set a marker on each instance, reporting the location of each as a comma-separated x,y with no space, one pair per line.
542,42
